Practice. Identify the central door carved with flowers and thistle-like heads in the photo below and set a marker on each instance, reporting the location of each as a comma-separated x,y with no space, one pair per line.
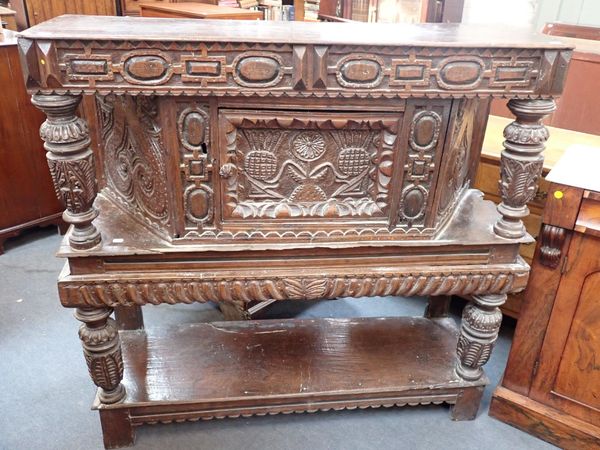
309,166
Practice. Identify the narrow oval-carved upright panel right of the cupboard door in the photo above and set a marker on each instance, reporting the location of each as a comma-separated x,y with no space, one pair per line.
425,128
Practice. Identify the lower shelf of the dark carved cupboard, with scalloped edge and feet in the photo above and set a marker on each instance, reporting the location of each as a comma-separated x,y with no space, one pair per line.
232,369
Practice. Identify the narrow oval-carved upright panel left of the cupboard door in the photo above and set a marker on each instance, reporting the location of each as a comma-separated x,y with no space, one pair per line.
196,165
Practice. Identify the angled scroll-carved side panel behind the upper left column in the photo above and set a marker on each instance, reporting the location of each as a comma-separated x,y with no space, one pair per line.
135,157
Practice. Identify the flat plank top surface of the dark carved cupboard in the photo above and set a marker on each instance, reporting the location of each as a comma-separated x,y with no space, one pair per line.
381,34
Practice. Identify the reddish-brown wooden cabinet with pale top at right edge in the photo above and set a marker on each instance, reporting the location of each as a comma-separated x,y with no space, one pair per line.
551,385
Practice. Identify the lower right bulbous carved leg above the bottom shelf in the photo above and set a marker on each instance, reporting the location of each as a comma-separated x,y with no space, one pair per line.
478,333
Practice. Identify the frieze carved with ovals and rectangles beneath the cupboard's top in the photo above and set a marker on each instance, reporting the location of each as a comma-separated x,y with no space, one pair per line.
292,70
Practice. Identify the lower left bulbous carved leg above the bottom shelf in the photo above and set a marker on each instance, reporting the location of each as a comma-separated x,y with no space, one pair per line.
102,351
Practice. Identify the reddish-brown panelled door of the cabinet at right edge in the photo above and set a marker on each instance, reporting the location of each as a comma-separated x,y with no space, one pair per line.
568,375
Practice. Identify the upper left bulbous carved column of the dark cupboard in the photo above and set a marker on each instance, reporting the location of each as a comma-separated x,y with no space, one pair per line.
71,163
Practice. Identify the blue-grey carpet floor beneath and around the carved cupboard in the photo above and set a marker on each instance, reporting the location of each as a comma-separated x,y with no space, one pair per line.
45,392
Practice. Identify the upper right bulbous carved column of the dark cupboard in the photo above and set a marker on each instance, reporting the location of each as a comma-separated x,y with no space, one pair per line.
521,163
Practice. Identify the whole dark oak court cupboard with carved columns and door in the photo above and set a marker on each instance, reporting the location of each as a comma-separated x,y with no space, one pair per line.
242,162
